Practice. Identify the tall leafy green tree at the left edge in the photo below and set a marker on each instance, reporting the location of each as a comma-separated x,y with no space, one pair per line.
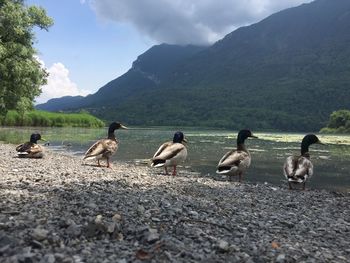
21,75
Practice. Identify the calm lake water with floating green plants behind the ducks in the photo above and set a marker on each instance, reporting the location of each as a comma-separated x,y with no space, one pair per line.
206,147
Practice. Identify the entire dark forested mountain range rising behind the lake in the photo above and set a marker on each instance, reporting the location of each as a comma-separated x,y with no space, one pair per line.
287,72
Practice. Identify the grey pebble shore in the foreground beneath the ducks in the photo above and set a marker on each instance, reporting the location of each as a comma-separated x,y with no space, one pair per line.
58,210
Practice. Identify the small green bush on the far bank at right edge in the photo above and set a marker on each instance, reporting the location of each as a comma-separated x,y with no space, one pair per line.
339,122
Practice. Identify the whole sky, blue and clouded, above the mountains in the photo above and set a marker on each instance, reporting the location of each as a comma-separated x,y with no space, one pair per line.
95,41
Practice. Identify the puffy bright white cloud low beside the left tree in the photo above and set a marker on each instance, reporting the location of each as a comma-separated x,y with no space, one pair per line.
58,84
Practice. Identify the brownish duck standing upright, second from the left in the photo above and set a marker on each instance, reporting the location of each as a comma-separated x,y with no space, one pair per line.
105,148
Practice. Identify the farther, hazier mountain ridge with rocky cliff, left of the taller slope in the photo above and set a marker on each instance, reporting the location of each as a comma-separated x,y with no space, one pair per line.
147,72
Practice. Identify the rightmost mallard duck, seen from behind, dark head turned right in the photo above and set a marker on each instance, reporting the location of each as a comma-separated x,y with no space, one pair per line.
297,169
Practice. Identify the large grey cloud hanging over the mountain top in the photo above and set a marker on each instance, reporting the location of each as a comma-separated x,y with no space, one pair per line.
188,21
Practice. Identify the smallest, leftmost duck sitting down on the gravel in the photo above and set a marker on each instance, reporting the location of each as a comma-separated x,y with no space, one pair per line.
31,149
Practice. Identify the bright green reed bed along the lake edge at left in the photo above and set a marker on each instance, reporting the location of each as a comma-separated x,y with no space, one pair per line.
51,119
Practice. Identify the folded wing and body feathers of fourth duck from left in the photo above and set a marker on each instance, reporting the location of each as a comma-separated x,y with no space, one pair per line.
234,158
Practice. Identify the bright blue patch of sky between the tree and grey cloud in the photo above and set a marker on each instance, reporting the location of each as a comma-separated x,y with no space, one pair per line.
94,52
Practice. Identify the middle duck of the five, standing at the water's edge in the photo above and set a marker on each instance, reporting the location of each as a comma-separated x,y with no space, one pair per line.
171,153
